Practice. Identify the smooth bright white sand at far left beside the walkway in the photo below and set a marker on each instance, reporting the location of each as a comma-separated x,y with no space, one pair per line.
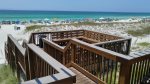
9,29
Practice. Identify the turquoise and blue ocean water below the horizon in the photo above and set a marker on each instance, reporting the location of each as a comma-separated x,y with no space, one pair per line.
64,15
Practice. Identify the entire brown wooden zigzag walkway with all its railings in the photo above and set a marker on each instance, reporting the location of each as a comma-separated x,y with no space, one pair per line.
93,57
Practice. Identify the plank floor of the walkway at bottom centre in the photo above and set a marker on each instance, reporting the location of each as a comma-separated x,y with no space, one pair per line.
80,78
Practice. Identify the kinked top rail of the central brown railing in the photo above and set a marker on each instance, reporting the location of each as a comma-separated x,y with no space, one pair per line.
94,48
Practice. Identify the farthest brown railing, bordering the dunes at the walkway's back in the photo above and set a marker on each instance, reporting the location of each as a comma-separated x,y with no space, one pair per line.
95,36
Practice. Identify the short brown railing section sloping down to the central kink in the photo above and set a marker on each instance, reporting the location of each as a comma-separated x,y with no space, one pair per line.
61,54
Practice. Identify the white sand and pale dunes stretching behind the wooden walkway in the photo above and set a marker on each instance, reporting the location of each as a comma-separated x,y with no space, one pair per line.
114,29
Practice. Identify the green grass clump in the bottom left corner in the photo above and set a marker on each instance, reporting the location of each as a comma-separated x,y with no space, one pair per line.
6,75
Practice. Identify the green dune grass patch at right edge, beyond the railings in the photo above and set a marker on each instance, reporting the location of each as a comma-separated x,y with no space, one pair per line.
140,32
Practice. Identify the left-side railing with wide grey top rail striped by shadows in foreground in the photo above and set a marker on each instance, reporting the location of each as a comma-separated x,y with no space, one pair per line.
61,73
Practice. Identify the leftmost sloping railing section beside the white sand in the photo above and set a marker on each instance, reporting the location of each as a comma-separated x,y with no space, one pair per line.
15,54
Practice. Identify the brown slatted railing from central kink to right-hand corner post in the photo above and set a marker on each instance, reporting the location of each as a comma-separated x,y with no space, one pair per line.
100,64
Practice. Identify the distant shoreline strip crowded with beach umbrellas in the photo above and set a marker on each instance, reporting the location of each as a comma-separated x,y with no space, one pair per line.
52,21
